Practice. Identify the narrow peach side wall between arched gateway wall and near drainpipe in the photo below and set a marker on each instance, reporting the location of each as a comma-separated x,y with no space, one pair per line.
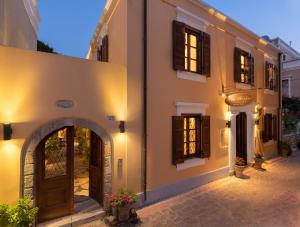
123,24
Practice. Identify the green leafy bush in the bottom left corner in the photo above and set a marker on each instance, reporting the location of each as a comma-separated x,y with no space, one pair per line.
21,215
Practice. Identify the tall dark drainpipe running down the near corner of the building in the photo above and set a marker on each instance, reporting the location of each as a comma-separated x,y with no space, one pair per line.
145,72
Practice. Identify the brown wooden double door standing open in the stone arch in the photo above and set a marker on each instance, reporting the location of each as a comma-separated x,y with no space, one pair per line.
55,173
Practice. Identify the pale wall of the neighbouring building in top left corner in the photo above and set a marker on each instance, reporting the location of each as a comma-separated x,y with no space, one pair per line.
16,28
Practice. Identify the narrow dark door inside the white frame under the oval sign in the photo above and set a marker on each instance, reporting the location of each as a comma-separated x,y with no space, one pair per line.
241,136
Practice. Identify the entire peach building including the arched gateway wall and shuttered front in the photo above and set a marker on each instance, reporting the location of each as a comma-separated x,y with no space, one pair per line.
171,94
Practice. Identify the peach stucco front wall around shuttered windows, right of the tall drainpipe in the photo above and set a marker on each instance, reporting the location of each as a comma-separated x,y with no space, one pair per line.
165,89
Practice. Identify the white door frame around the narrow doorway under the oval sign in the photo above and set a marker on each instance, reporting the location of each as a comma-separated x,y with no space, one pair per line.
234,111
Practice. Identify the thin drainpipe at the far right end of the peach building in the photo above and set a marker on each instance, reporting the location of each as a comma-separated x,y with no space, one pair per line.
279,123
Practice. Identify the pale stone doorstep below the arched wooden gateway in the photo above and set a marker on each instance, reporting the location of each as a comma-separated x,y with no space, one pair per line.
75,219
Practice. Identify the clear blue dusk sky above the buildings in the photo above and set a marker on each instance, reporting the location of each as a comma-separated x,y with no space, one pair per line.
68,25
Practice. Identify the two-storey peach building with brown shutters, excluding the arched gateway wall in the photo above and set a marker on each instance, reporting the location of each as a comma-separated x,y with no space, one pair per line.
197,62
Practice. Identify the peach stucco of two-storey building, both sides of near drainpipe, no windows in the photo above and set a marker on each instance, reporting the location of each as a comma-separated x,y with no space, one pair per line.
165,89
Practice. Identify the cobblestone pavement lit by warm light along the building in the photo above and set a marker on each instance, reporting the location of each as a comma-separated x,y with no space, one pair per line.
265,198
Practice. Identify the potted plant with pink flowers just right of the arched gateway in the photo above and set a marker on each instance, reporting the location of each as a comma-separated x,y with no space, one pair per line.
121,204
